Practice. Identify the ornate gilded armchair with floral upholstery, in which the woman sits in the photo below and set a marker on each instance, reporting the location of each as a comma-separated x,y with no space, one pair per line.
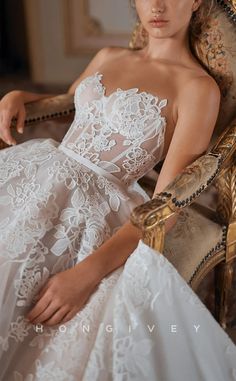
185,245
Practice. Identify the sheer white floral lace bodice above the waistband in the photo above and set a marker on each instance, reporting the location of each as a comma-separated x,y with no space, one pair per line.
122,133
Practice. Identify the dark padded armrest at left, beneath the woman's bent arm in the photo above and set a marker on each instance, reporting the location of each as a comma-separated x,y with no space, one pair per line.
48,108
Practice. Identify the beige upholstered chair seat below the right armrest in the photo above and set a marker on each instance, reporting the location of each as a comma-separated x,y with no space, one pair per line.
191,240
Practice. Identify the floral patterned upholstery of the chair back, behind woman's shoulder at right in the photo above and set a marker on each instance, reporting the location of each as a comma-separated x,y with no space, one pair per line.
217,49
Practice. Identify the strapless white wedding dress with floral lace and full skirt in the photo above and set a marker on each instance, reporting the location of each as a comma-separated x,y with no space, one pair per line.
59,202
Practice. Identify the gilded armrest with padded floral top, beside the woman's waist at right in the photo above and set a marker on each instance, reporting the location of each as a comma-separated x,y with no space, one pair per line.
181,192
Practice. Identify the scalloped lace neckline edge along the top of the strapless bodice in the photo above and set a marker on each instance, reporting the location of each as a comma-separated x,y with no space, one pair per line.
99,76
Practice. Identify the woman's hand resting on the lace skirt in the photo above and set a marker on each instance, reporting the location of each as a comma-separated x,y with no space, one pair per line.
64,295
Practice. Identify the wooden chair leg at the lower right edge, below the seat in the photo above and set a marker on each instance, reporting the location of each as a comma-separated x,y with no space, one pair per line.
223,286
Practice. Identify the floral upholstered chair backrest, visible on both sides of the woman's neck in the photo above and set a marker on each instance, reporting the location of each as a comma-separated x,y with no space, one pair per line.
216,49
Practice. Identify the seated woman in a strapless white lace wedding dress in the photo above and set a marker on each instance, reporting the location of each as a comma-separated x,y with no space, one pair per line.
82,297
